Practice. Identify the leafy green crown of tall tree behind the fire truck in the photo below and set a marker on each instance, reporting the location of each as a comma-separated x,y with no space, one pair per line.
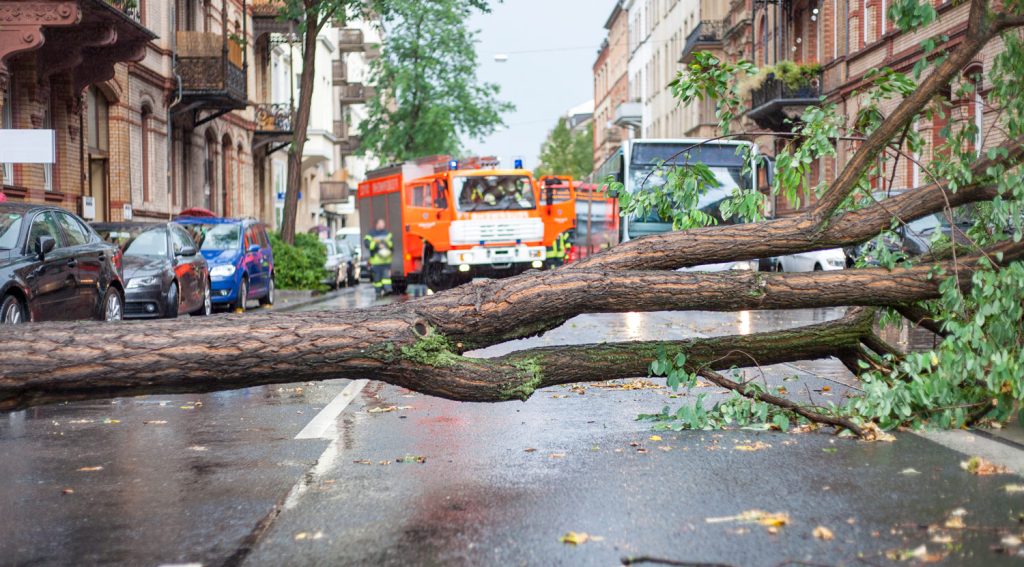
429,96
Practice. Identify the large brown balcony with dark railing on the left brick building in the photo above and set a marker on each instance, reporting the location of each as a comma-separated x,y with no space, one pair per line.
212,72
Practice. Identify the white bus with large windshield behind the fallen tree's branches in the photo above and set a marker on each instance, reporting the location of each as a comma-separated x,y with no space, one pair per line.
637,162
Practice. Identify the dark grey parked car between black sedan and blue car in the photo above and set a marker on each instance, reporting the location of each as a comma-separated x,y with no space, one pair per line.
165,275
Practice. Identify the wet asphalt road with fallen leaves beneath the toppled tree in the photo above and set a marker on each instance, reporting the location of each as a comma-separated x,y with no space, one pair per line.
223,479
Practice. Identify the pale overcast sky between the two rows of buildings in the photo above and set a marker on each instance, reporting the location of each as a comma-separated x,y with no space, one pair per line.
551,48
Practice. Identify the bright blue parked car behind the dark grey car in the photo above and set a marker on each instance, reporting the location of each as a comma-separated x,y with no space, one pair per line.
240,256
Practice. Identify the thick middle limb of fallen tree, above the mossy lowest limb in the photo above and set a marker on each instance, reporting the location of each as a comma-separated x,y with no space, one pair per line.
490,313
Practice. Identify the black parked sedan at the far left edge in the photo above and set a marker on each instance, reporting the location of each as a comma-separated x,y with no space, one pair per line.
55,268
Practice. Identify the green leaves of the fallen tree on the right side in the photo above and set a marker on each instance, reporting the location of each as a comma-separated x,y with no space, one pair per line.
976,374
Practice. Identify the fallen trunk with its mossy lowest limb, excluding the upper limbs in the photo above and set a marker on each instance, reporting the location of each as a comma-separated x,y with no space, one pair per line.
234,353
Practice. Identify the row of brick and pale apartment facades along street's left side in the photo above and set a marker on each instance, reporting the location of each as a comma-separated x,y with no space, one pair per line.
160,108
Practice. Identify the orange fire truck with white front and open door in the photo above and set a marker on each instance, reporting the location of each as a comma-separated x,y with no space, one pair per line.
454,221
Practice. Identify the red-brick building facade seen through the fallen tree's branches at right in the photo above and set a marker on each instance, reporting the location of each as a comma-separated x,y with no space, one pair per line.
848,39
